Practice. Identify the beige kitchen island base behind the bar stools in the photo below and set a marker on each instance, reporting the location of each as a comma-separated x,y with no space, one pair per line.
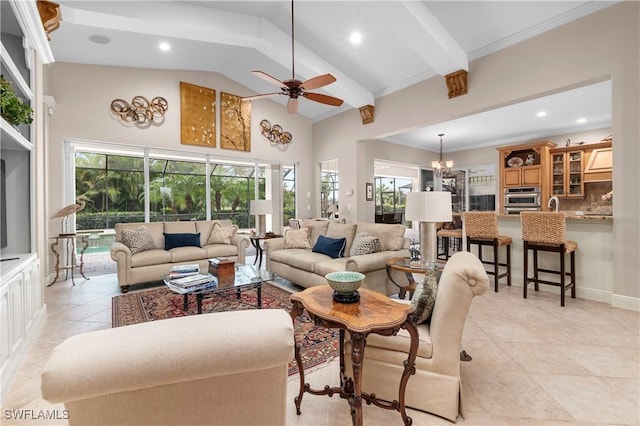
594,257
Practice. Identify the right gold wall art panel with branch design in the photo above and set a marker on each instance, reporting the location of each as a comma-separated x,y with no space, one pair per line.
235,123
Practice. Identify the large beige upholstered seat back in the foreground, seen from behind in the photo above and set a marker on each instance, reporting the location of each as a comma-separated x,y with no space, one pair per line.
227,368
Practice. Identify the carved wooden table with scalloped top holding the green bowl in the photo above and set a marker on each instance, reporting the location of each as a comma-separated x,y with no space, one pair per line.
374,313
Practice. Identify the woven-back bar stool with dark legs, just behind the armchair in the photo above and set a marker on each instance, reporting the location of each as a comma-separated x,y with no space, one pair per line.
482,229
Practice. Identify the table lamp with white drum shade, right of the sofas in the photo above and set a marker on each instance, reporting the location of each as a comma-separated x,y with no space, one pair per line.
428,208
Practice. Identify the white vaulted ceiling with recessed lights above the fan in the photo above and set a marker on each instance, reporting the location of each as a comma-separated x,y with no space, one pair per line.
403,42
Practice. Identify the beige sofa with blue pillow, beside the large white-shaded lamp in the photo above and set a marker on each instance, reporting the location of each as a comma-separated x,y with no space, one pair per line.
306,268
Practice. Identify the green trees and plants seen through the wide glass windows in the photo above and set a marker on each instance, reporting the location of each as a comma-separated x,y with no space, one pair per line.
177,190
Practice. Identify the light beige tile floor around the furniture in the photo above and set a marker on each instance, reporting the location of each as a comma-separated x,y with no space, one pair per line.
534,363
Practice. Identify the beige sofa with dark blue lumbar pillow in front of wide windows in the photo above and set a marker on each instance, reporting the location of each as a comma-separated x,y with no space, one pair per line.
150,265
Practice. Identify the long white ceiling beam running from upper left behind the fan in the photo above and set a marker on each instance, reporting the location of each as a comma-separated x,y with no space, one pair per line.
220,27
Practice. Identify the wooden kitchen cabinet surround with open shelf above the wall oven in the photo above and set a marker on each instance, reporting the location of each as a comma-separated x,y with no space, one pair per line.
525,165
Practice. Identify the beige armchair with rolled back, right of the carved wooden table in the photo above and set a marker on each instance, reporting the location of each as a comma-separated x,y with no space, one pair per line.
436,386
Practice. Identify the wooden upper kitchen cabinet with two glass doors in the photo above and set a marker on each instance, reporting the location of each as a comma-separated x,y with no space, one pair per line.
567,180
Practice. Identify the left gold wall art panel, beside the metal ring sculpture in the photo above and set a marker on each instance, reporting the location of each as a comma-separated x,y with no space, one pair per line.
197,115
